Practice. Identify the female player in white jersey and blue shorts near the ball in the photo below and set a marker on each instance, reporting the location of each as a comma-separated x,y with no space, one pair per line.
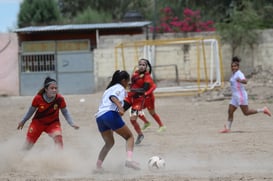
109,118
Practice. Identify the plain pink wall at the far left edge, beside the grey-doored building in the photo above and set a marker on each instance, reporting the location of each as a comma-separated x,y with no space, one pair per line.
9,82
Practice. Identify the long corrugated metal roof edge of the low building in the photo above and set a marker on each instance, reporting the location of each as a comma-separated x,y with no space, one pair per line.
82,26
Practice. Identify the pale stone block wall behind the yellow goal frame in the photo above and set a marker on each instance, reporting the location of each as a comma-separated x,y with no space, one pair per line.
252,59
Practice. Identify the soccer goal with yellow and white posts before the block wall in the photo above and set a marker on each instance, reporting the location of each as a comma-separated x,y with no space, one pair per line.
180,65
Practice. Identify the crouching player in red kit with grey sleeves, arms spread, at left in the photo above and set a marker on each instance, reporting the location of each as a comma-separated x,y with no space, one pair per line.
46,105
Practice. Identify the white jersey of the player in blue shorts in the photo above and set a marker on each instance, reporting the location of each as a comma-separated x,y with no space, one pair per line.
106,104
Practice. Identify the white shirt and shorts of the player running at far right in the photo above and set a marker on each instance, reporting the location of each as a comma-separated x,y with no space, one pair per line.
239,94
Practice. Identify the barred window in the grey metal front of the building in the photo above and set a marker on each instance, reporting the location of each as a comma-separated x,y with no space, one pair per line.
38,63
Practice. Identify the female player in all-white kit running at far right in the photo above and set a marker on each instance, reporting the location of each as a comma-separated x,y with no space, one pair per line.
239,95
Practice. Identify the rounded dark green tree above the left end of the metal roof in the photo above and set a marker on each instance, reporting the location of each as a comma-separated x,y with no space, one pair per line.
38,12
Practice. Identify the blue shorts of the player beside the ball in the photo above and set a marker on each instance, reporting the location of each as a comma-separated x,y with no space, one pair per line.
109,120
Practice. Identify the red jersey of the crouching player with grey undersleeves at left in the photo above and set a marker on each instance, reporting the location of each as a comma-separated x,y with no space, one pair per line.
48,112
